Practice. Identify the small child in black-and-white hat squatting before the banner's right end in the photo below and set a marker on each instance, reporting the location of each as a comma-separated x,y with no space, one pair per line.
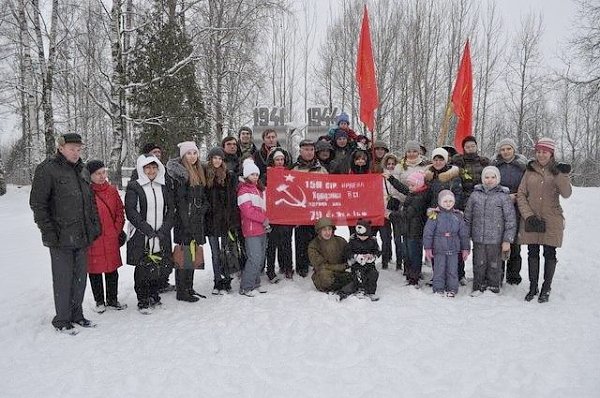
364,250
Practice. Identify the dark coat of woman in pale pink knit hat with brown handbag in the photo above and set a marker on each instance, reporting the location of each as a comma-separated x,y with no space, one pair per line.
191,205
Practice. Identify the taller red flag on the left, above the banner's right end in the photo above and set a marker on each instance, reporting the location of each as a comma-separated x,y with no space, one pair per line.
365,75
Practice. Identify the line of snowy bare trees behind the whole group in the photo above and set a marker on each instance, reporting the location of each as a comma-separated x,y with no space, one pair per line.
126,72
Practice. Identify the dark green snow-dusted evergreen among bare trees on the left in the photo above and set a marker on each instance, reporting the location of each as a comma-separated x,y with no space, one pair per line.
166,99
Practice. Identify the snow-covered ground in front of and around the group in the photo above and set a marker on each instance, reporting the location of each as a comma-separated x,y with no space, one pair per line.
296,342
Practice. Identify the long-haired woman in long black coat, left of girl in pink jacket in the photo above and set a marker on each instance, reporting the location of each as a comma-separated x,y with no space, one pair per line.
222,215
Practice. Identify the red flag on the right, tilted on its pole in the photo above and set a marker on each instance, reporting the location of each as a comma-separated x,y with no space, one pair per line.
462,99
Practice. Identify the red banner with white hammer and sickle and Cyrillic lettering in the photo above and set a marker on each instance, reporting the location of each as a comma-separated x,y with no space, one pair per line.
300,198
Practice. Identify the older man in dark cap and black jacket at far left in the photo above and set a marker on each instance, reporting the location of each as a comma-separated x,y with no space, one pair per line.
65,212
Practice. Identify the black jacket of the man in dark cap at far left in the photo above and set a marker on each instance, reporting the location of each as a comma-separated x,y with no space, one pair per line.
63,205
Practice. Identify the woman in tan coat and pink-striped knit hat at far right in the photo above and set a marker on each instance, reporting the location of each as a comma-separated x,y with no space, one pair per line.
542,220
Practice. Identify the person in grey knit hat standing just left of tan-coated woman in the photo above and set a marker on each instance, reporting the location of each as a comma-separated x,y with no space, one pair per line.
512,167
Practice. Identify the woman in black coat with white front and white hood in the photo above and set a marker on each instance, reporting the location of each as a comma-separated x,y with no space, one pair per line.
150,209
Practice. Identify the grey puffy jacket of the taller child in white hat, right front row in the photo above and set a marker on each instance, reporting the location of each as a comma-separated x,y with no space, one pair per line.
490,215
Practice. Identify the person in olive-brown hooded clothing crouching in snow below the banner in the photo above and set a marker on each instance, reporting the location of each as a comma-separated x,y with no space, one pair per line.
327,255
